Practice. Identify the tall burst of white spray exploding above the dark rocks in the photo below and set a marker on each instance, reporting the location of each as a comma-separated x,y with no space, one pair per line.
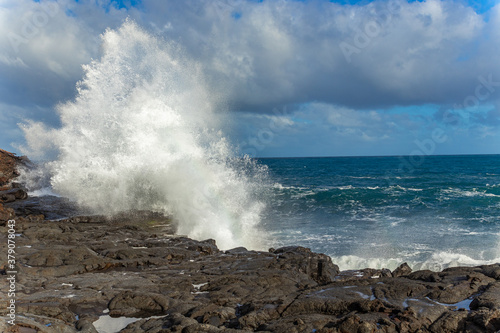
142,134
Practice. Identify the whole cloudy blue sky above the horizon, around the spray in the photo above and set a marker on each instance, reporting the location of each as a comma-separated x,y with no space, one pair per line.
299,78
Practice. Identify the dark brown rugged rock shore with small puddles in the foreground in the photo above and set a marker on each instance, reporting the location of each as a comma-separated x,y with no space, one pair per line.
131,273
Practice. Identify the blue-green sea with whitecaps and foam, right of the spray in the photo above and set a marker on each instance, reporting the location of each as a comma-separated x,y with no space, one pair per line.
429,211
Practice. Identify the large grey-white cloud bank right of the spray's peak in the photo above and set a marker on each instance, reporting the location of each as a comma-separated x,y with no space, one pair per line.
276,52
